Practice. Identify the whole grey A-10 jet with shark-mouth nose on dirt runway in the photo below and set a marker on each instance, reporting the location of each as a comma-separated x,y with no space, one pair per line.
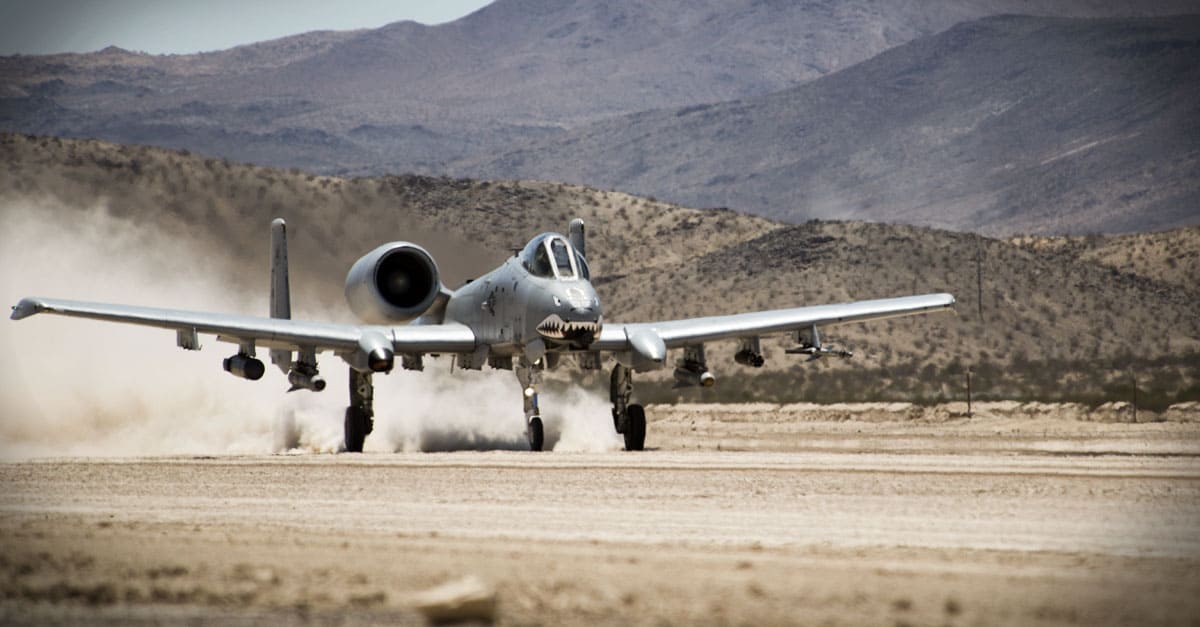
525,317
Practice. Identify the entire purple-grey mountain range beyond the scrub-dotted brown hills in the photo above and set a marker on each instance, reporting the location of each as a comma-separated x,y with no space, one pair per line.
757,105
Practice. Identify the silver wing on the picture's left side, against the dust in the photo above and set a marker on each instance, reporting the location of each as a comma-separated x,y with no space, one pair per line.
273,333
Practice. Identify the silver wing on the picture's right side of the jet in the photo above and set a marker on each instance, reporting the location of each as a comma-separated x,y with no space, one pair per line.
677,333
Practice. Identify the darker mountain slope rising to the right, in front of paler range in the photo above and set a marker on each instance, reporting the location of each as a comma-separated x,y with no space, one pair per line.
1001,126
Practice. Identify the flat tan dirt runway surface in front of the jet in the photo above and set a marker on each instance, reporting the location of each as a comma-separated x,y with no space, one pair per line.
736,516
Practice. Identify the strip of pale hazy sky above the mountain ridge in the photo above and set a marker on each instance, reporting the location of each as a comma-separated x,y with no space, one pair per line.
43,27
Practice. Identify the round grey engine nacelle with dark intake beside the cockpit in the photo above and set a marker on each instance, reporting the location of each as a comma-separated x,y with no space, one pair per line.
395,283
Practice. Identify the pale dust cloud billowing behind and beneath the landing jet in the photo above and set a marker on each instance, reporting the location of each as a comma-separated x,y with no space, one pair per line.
86,389
